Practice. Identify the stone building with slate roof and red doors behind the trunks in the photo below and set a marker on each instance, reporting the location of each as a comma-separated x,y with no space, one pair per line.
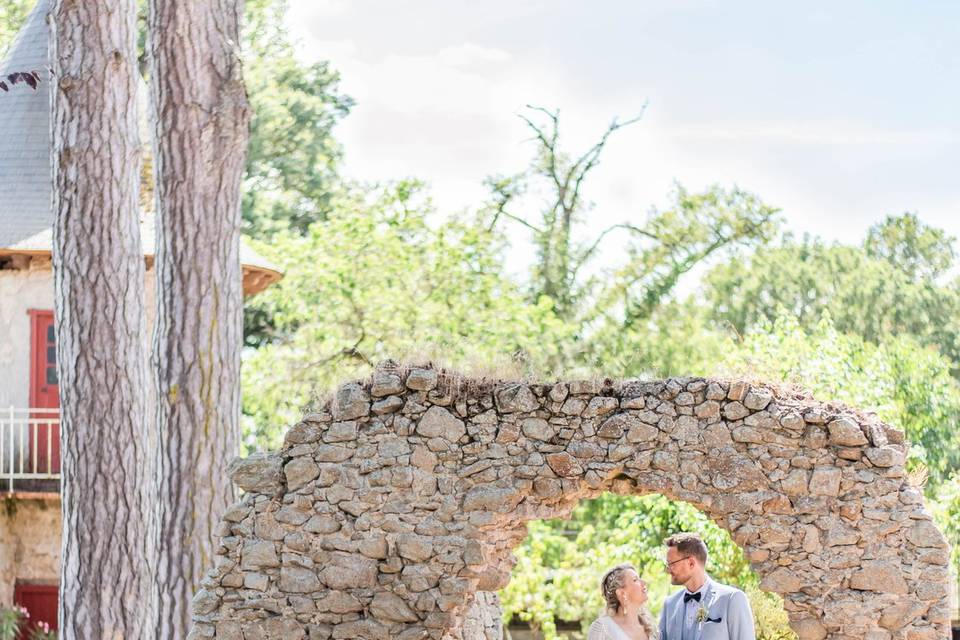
29,425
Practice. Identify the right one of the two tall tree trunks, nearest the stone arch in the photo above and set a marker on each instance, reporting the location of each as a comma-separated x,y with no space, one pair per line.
202,126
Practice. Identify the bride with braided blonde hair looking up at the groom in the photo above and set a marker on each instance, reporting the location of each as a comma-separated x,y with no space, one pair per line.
627,616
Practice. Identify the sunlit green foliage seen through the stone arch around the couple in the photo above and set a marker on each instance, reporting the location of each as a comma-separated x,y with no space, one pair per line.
553,590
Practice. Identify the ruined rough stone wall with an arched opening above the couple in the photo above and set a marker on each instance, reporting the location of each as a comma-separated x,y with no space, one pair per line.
386,513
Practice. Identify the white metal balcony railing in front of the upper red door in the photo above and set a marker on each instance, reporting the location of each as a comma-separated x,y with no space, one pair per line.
29,449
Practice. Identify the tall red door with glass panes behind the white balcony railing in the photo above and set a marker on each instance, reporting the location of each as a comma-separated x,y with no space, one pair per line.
44,393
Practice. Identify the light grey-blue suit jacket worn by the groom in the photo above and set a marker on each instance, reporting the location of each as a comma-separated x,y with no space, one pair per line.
728,615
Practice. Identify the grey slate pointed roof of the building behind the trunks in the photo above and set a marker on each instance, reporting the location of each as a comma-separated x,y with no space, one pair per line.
26,215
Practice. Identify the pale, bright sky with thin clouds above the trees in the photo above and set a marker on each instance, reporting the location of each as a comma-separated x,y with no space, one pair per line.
839,113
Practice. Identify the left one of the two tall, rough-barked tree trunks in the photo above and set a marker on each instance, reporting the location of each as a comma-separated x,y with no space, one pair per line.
101,360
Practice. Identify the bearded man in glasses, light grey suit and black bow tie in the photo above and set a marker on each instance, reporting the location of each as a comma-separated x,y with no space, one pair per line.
704,609
